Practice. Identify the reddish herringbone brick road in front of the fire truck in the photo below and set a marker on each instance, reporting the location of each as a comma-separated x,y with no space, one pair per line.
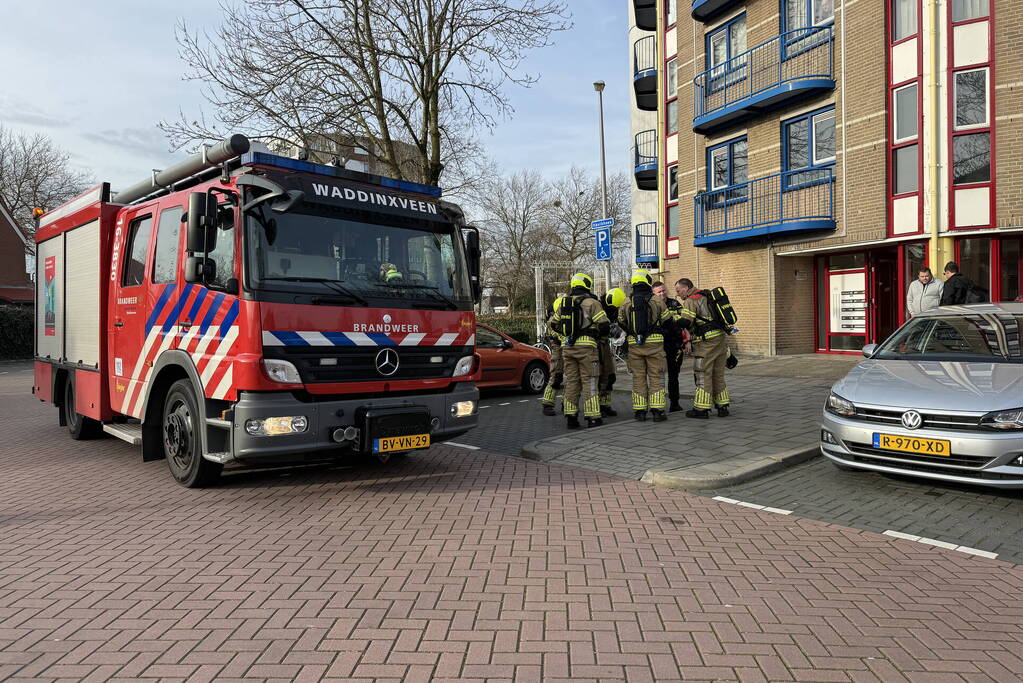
455,565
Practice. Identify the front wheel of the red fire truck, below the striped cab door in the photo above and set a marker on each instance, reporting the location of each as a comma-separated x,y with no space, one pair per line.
183,443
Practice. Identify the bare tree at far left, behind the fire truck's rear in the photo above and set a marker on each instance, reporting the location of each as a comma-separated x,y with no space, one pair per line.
35,172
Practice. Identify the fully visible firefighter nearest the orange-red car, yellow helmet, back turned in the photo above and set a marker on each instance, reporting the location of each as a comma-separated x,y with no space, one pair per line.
582,322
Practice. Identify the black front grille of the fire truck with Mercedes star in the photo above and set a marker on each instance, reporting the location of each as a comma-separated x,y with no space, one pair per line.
338,365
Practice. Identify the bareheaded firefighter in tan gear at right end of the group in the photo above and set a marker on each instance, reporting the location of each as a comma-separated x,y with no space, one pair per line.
710,352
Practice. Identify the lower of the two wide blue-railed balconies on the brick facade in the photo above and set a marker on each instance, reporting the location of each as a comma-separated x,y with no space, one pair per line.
783,204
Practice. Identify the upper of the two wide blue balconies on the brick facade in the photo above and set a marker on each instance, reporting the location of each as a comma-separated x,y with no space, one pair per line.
796,65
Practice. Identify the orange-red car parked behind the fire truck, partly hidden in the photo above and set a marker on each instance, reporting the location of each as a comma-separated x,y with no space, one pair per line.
511,363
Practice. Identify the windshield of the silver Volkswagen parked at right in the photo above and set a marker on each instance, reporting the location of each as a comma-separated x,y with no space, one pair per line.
980,337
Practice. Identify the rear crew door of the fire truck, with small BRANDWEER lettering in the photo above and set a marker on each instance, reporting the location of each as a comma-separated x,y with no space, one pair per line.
132,299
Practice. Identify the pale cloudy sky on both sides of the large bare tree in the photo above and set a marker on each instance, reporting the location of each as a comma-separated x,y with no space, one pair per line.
98,77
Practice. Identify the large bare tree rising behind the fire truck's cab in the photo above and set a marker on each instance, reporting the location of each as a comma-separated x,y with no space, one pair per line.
413,80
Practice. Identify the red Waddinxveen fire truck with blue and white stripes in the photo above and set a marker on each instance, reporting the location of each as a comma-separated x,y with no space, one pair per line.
246,308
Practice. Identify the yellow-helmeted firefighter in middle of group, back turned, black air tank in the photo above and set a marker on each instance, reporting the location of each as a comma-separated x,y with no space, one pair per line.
644,316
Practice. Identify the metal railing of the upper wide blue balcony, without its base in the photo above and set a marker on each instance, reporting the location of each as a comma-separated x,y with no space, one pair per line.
800,54
